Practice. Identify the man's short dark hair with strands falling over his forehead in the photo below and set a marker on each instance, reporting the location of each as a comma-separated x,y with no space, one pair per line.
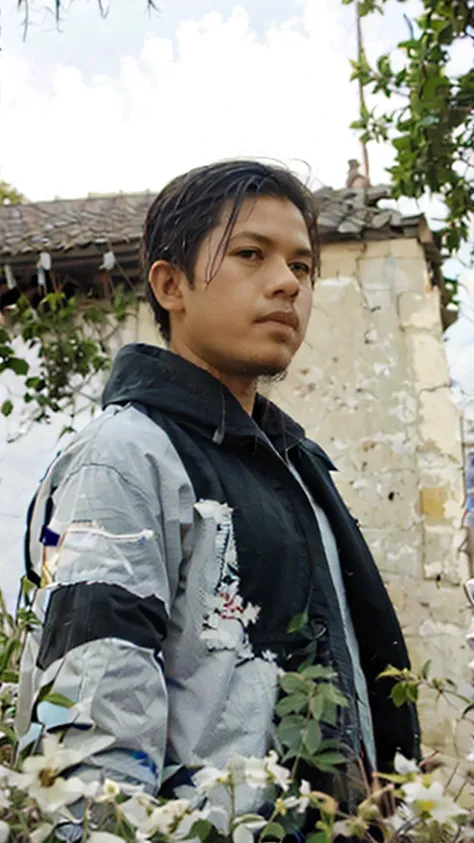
190,207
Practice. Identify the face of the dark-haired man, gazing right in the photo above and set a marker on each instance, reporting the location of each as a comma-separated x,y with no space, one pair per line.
251,316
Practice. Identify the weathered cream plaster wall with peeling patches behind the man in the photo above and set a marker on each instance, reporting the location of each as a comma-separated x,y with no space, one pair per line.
370,384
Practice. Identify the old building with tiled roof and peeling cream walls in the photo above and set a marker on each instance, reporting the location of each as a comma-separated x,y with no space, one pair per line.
370,384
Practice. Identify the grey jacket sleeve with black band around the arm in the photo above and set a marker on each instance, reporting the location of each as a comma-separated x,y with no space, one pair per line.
109,533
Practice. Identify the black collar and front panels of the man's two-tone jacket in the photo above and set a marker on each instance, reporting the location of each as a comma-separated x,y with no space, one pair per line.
228,458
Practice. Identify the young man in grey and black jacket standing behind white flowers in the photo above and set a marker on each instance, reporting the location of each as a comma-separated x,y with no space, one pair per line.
184,528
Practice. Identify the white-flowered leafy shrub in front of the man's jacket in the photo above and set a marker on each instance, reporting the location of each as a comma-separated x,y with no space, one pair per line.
37,799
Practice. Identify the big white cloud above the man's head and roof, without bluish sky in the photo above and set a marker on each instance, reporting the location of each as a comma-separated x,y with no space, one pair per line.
216,91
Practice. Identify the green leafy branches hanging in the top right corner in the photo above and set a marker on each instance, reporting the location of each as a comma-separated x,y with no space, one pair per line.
432,132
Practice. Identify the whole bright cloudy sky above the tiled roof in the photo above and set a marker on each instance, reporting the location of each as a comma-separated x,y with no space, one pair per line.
128,102
